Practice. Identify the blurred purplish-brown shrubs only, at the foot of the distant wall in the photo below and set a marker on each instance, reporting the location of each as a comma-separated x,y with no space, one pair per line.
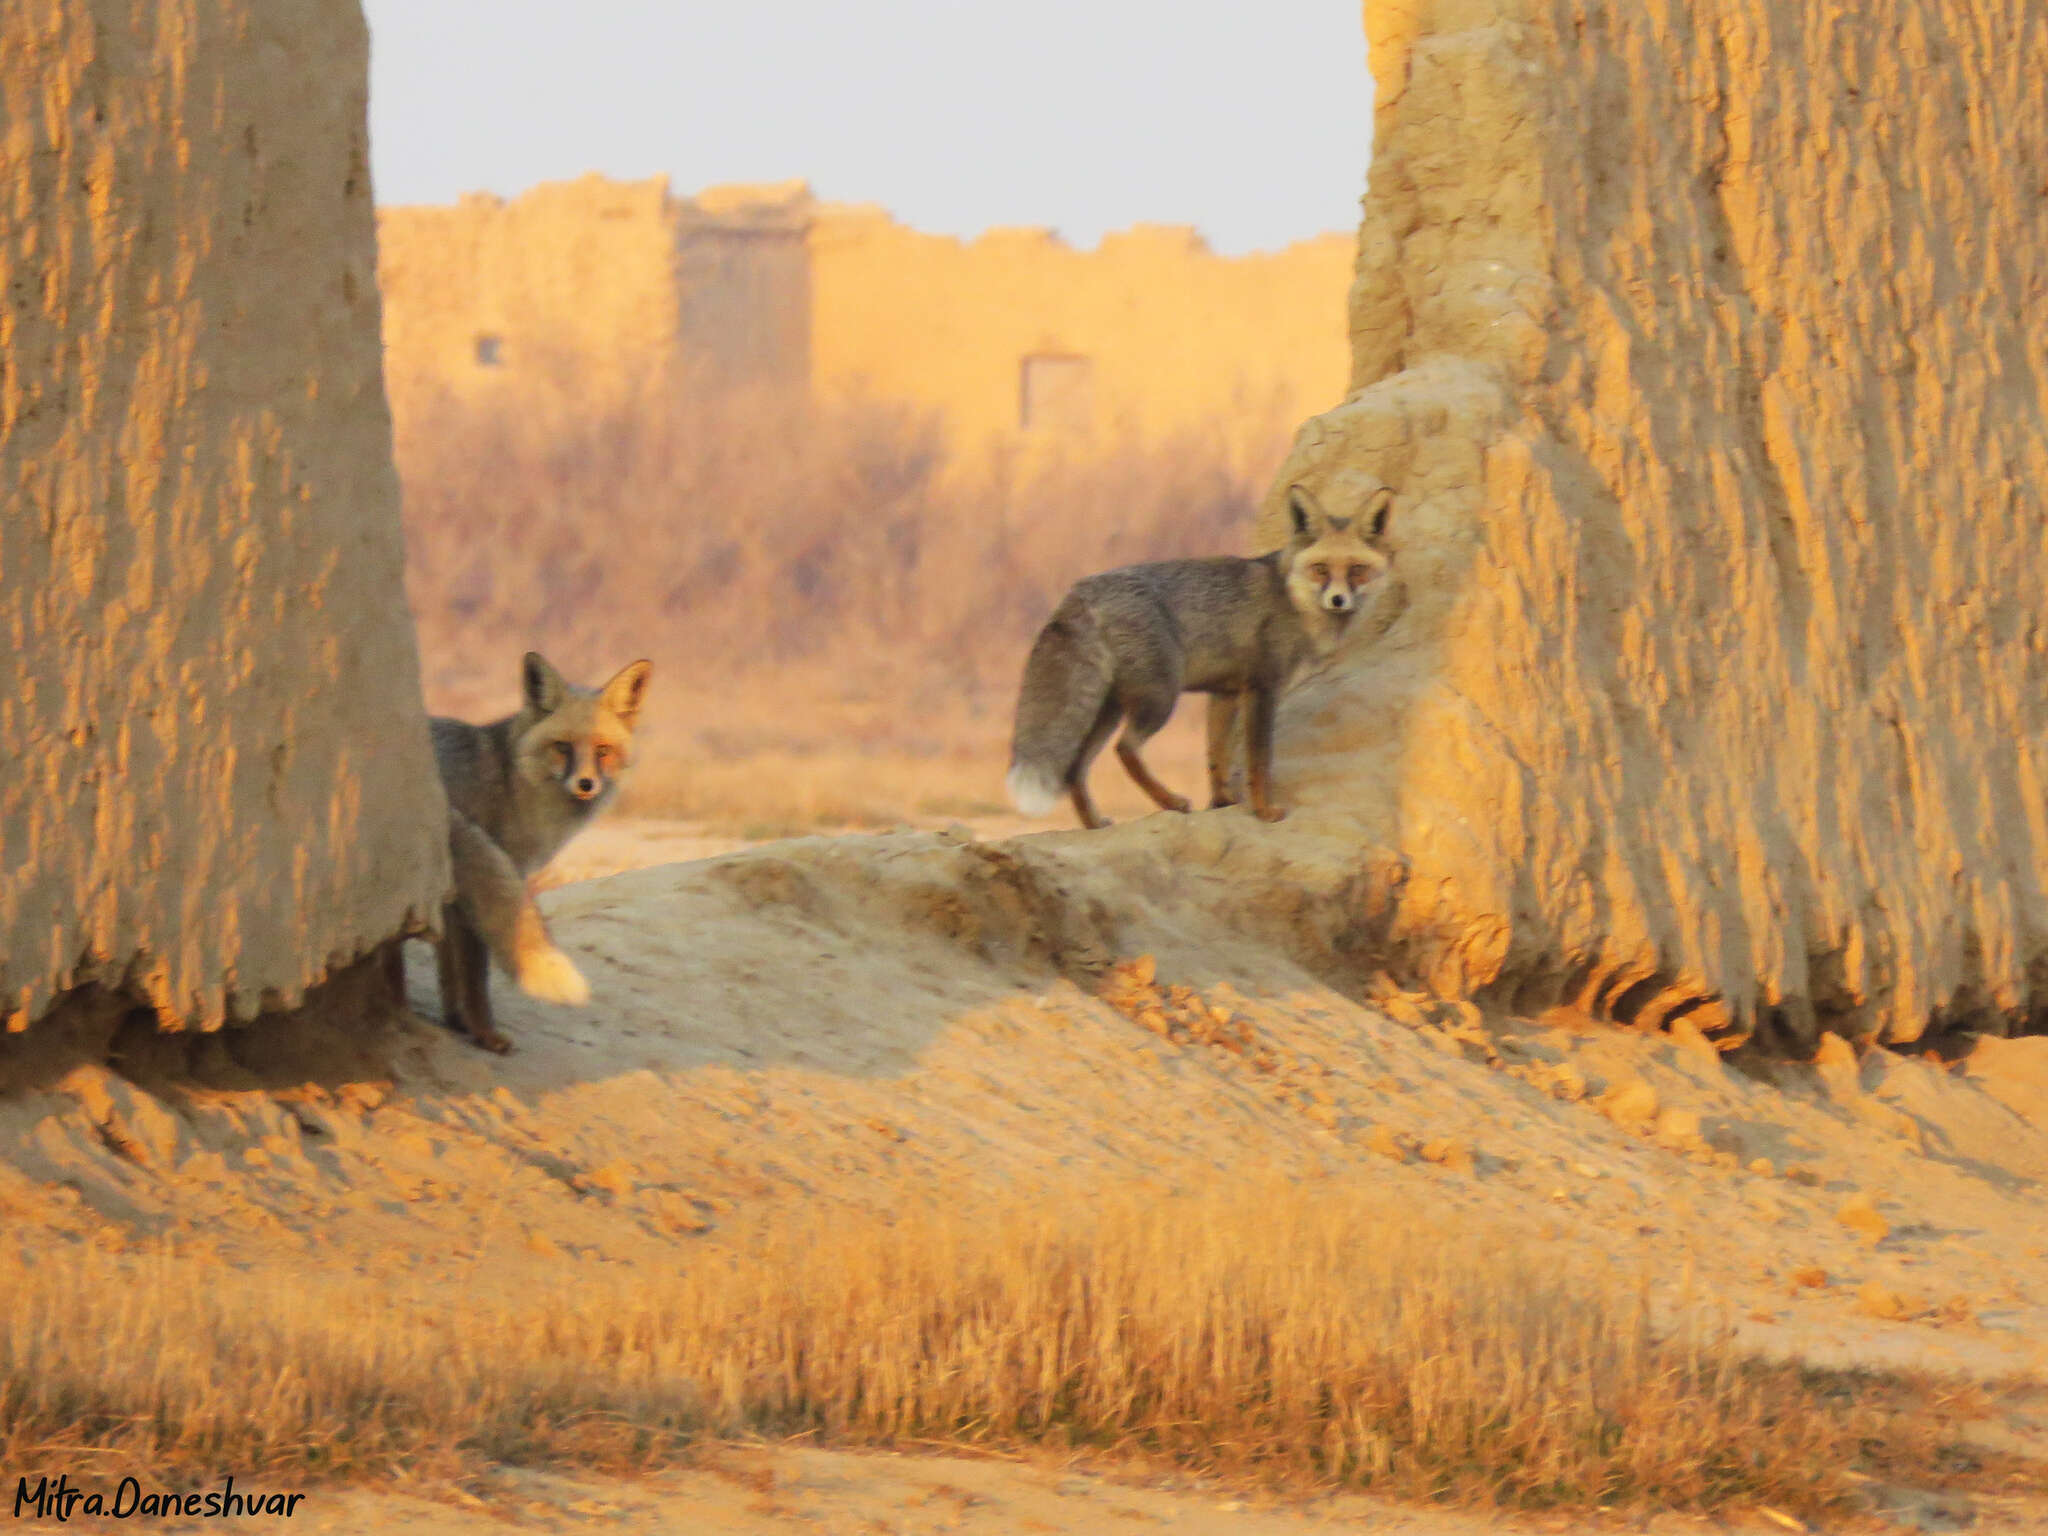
746,536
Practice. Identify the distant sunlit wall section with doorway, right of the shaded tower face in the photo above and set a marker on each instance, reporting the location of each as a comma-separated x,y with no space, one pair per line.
1172,337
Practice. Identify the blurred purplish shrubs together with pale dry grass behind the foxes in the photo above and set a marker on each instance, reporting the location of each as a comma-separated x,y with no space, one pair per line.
837,609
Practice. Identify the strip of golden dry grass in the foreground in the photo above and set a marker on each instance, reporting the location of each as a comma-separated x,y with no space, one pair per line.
1291,1334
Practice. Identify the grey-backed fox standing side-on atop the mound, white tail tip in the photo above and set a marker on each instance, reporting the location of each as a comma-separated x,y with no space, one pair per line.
1127,644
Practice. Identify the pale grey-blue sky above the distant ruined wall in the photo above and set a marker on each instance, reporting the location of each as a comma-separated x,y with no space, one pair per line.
1248,120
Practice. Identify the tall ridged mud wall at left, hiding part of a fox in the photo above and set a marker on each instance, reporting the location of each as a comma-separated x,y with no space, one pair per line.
218,779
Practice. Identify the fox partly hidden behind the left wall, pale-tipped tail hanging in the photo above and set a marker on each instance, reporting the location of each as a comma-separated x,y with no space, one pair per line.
519,790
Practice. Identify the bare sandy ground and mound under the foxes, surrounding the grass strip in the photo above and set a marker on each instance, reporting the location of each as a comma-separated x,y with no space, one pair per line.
869,1021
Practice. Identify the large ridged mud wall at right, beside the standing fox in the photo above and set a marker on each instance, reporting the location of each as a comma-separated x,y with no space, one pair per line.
1703,347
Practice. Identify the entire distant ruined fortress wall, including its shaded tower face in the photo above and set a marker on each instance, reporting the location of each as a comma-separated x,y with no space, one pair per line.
595,296
